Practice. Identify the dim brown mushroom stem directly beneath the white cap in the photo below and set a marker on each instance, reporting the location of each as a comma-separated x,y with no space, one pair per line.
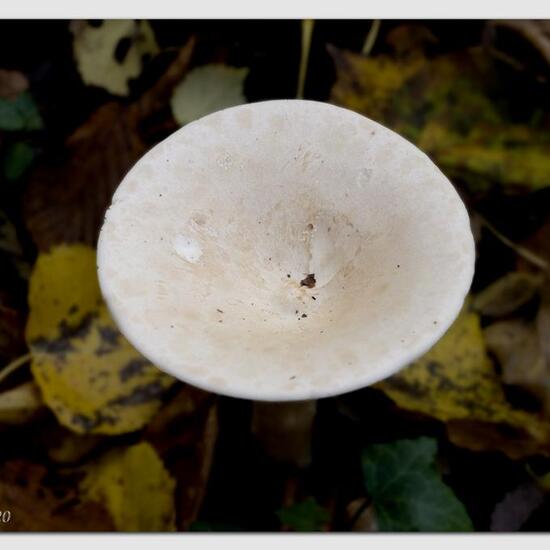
284,429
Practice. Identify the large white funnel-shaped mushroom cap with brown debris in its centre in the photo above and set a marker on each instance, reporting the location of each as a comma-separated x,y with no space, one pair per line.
285,250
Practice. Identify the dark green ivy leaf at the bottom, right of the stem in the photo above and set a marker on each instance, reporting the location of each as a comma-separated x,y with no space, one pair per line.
407,491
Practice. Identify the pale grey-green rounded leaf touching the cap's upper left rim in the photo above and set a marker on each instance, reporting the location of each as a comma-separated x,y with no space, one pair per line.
207,89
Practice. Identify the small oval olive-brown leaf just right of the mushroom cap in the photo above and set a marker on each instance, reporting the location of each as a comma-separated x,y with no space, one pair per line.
507,294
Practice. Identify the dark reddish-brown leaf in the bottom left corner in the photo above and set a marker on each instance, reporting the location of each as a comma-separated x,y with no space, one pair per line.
37,503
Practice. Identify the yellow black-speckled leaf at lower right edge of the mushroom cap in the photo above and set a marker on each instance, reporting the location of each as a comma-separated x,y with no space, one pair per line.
456,381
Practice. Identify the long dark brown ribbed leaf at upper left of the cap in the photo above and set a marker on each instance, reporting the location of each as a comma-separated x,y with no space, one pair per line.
66,200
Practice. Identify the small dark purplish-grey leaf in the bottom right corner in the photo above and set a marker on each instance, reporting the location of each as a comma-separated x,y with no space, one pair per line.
516,507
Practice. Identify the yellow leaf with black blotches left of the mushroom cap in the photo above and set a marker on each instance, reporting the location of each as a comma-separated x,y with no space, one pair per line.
89,375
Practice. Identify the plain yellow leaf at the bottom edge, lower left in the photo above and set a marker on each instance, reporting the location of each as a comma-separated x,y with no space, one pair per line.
133,485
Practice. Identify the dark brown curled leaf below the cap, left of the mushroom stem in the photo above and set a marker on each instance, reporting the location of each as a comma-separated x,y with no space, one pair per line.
184,433
